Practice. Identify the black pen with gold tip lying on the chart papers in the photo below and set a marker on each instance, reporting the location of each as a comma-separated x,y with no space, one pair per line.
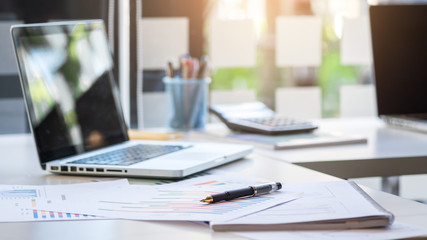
244,192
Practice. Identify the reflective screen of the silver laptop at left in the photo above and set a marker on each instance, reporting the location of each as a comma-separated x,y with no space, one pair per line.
72,100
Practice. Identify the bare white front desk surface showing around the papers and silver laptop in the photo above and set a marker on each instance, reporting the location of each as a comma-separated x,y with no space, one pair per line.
19,165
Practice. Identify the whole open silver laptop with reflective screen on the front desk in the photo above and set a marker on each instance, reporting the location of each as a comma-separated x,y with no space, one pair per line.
75,114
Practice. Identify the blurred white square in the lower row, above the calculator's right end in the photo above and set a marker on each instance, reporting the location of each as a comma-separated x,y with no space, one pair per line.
299,102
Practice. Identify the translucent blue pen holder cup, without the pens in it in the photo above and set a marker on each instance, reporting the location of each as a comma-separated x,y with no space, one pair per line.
187,102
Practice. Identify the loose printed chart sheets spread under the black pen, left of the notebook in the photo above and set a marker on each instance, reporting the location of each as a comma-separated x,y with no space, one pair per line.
117,199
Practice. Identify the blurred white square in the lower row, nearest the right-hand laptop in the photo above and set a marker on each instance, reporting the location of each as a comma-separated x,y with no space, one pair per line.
358,101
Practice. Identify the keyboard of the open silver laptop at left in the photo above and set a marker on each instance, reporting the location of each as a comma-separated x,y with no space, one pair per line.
130,155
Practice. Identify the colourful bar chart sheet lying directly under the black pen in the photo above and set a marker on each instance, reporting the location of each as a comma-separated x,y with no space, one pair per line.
181,201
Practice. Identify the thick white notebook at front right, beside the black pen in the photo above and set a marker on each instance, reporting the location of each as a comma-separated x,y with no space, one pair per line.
323,206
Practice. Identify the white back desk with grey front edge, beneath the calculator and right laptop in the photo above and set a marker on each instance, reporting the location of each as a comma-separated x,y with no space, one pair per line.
389,151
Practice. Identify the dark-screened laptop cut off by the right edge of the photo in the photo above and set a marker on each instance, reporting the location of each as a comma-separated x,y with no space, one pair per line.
399,44
